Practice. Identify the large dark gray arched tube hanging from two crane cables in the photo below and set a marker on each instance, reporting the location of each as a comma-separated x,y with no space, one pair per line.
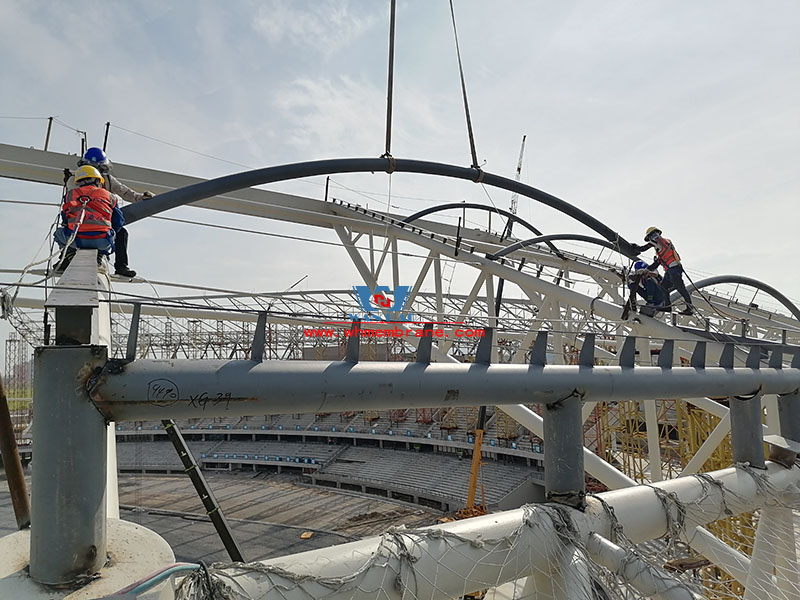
246,179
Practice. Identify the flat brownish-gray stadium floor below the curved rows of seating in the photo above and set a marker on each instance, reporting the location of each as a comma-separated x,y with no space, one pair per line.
267,514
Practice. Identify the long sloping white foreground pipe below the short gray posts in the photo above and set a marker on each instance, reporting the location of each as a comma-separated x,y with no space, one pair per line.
453,559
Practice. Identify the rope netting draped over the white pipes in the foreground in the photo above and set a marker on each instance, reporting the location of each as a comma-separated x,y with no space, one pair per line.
546,551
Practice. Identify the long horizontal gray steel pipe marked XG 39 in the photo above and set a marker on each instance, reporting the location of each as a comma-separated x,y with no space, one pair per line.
147,389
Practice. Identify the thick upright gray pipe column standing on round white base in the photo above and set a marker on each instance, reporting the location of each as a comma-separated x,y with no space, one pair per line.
68,504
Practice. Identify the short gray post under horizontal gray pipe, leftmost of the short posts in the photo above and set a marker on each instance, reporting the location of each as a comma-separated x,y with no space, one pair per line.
564,480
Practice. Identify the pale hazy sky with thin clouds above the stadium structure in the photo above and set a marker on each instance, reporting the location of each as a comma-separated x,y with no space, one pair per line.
684,115
